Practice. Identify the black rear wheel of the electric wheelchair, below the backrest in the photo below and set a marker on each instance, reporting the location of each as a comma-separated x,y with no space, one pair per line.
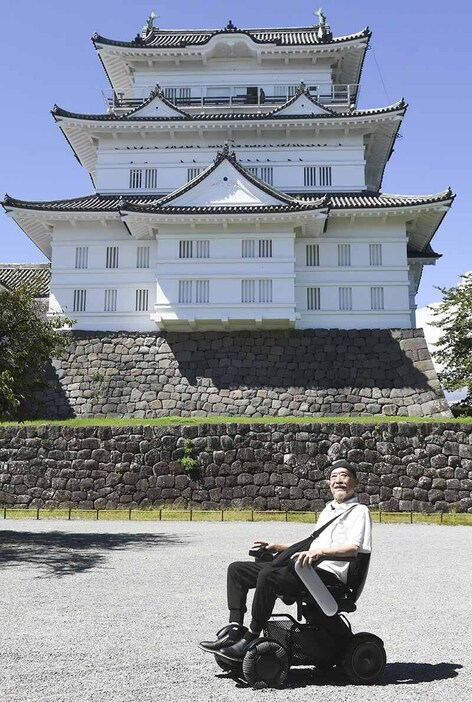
364,659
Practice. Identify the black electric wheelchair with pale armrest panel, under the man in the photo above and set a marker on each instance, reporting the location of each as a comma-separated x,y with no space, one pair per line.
320,636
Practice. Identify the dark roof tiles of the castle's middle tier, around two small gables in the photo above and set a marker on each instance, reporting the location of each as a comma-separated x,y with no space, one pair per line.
227,117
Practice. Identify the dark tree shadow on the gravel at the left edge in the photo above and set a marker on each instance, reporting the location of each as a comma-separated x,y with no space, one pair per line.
60,553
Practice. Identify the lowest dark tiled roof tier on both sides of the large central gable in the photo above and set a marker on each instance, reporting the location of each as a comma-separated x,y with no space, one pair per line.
336,201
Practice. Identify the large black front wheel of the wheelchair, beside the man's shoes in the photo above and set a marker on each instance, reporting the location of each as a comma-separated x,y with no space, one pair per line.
265,664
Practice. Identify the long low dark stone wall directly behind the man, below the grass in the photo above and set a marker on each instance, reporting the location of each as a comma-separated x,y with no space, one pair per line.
404,466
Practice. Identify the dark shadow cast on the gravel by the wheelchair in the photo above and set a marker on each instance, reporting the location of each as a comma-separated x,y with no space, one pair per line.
395,674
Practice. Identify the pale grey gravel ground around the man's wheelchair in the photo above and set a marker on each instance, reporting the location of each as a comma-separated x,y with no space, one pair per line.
95,611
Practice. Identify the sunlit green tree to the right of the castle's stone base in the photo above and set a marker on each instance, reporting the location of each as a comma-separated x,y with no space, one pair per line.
454,348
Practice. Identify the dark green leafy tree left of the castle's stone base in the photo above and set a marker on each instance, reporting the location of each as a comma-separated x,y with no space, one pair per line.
28,339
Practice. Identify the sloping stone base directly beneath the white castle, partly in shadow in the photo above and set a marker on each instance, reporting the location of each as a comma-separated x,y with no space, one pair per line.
292,373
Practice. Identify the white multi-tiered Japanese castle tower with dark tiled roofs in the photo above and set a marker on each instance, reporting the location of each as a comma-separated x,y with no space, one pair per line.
237,186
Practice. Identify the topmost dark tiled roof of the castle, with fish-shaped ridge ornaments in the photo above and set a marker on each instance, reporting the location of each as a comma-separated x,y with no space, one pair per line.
179,39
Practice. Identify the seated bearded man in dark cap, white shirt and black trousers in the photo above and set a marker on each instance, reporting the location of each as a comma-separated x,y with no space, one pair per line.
345,529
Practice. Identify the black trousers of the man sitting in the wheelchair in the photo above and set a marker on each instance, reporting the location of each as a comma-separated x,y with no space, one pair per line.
269,581
